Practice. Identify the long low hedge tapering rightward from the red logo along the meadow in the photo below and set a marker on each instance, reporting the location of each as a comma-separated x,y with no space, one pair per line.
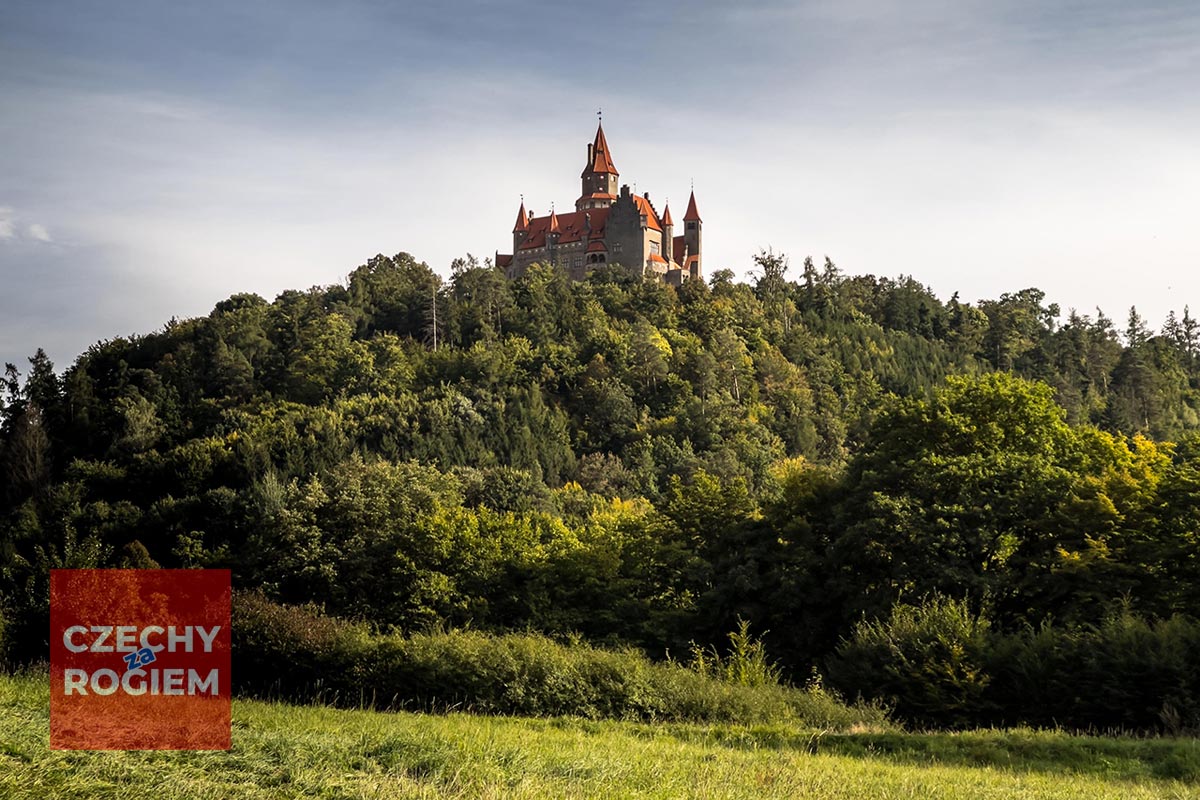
299,654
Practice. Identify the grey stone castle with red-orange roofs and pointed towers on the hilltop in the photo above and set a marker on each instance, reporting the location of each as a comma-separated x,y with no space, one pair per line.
608,228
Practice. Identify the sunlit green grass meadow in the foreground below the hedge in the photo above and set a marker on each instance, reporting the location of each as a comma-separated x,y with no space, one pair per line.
286,751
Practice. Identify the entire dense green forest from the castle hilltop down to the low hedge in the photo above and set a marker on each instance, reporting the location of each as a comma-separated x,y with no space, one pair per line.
939,504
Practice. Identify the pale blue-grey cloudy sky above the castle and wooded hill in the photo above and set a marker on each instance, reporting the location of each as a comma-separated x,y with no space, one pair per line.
159,158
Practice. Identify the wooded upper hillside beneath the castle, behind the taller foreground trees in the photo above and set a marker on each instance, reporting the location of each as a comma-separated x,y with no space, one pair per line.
613,383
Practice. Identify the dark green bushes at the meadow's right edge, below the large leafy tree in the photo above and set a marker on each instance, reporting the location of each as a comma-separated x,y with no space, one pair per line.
939,665
